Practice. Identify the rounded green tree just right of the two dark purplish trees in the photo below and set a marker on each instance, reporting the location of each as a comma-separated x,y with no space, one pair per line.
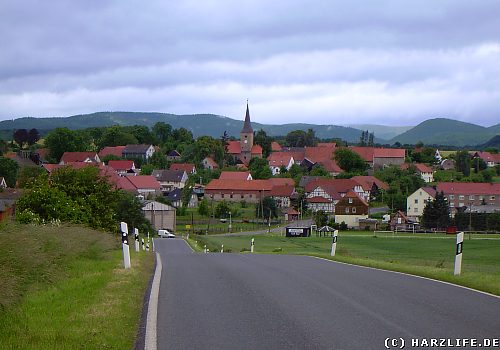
63,140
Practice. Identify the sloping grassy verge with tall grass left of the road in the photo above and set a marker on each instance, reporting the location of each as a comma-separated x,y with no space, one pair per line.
65,288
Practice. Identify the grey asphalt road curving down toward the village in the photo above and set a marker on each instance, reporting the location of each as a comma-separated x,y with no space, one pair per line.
251,301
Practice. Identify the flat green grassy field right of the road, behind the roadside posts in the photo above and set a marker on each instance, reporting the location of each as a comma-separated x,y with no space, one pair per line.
423,255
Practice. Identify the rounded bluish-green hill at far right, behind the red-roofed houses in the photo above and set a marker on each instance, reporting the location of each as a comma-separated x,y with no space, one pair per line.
442,131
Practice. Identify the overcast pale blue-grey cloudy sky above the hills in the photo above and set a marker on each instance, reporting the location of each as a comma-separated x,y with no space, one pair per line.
323,62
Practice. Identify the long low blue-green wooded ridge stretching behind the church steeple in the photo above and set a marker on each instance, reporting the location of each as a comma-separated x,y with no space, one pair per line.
198,124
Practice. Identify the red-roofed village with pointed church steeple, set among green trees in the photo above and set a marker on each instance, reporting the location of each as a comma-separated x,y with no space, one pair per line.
360,187
